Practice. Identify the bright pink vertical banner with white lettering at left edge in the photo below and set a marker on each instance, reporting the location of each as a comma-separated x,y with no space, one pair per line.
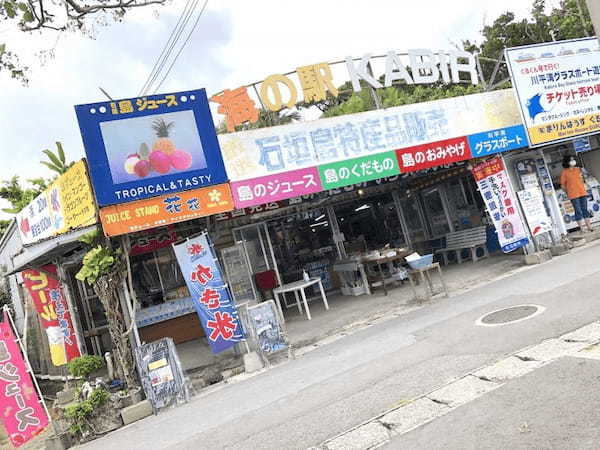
21,410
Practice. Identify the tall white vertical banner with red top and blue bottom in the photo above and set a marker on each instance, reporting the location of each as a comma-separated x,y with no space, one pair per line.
501,204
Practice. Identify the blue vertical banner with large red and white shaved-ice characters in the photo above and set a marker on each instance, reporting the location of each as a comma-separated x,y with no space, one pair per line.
212,300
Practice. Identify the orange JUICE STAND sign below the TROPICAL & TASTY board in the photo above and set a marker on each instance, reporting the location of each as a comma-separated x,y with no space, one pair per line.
165,210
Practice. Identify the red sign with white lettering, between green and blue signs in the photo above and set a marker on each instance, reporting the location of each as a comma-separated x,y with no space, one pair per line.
434,154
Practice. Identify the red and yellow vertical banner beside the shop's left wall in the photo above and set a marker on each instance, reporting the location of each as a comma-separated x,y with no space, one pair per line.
51,305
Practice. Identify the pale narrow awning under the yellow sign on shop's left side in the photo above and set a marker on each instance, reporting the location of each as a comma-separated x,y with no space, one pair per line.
47,251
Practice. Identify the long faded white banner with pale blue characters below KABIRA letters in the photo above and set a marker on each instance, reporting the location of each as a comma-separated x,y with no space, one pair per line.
268,151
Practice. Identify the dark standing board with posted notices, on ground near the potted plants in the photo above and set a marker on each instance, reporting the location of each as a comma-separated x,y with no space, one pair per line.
161,373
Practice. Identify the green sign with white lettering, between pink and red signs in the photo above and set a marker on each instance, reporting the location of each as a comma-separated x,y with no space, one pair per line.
357,170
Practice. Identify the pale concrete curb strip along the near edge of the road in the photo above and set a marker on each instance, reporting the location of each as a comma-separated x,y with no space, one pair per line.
378,431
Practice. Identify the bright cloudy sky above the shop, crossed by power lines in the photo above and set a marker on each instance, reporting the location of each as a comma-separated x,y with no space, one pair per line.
236,42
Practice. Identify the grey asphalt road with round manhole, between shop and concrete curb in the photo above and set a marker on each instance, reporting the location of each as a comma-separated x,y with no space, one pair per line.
325,392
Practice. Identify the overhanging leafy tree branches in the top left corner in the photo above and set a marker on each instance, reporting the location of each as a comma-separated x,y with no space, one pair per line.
52,16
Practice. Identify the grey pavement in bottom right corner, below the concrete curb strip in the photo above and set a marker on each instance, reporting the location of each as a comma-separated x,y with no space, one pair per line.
553,407
